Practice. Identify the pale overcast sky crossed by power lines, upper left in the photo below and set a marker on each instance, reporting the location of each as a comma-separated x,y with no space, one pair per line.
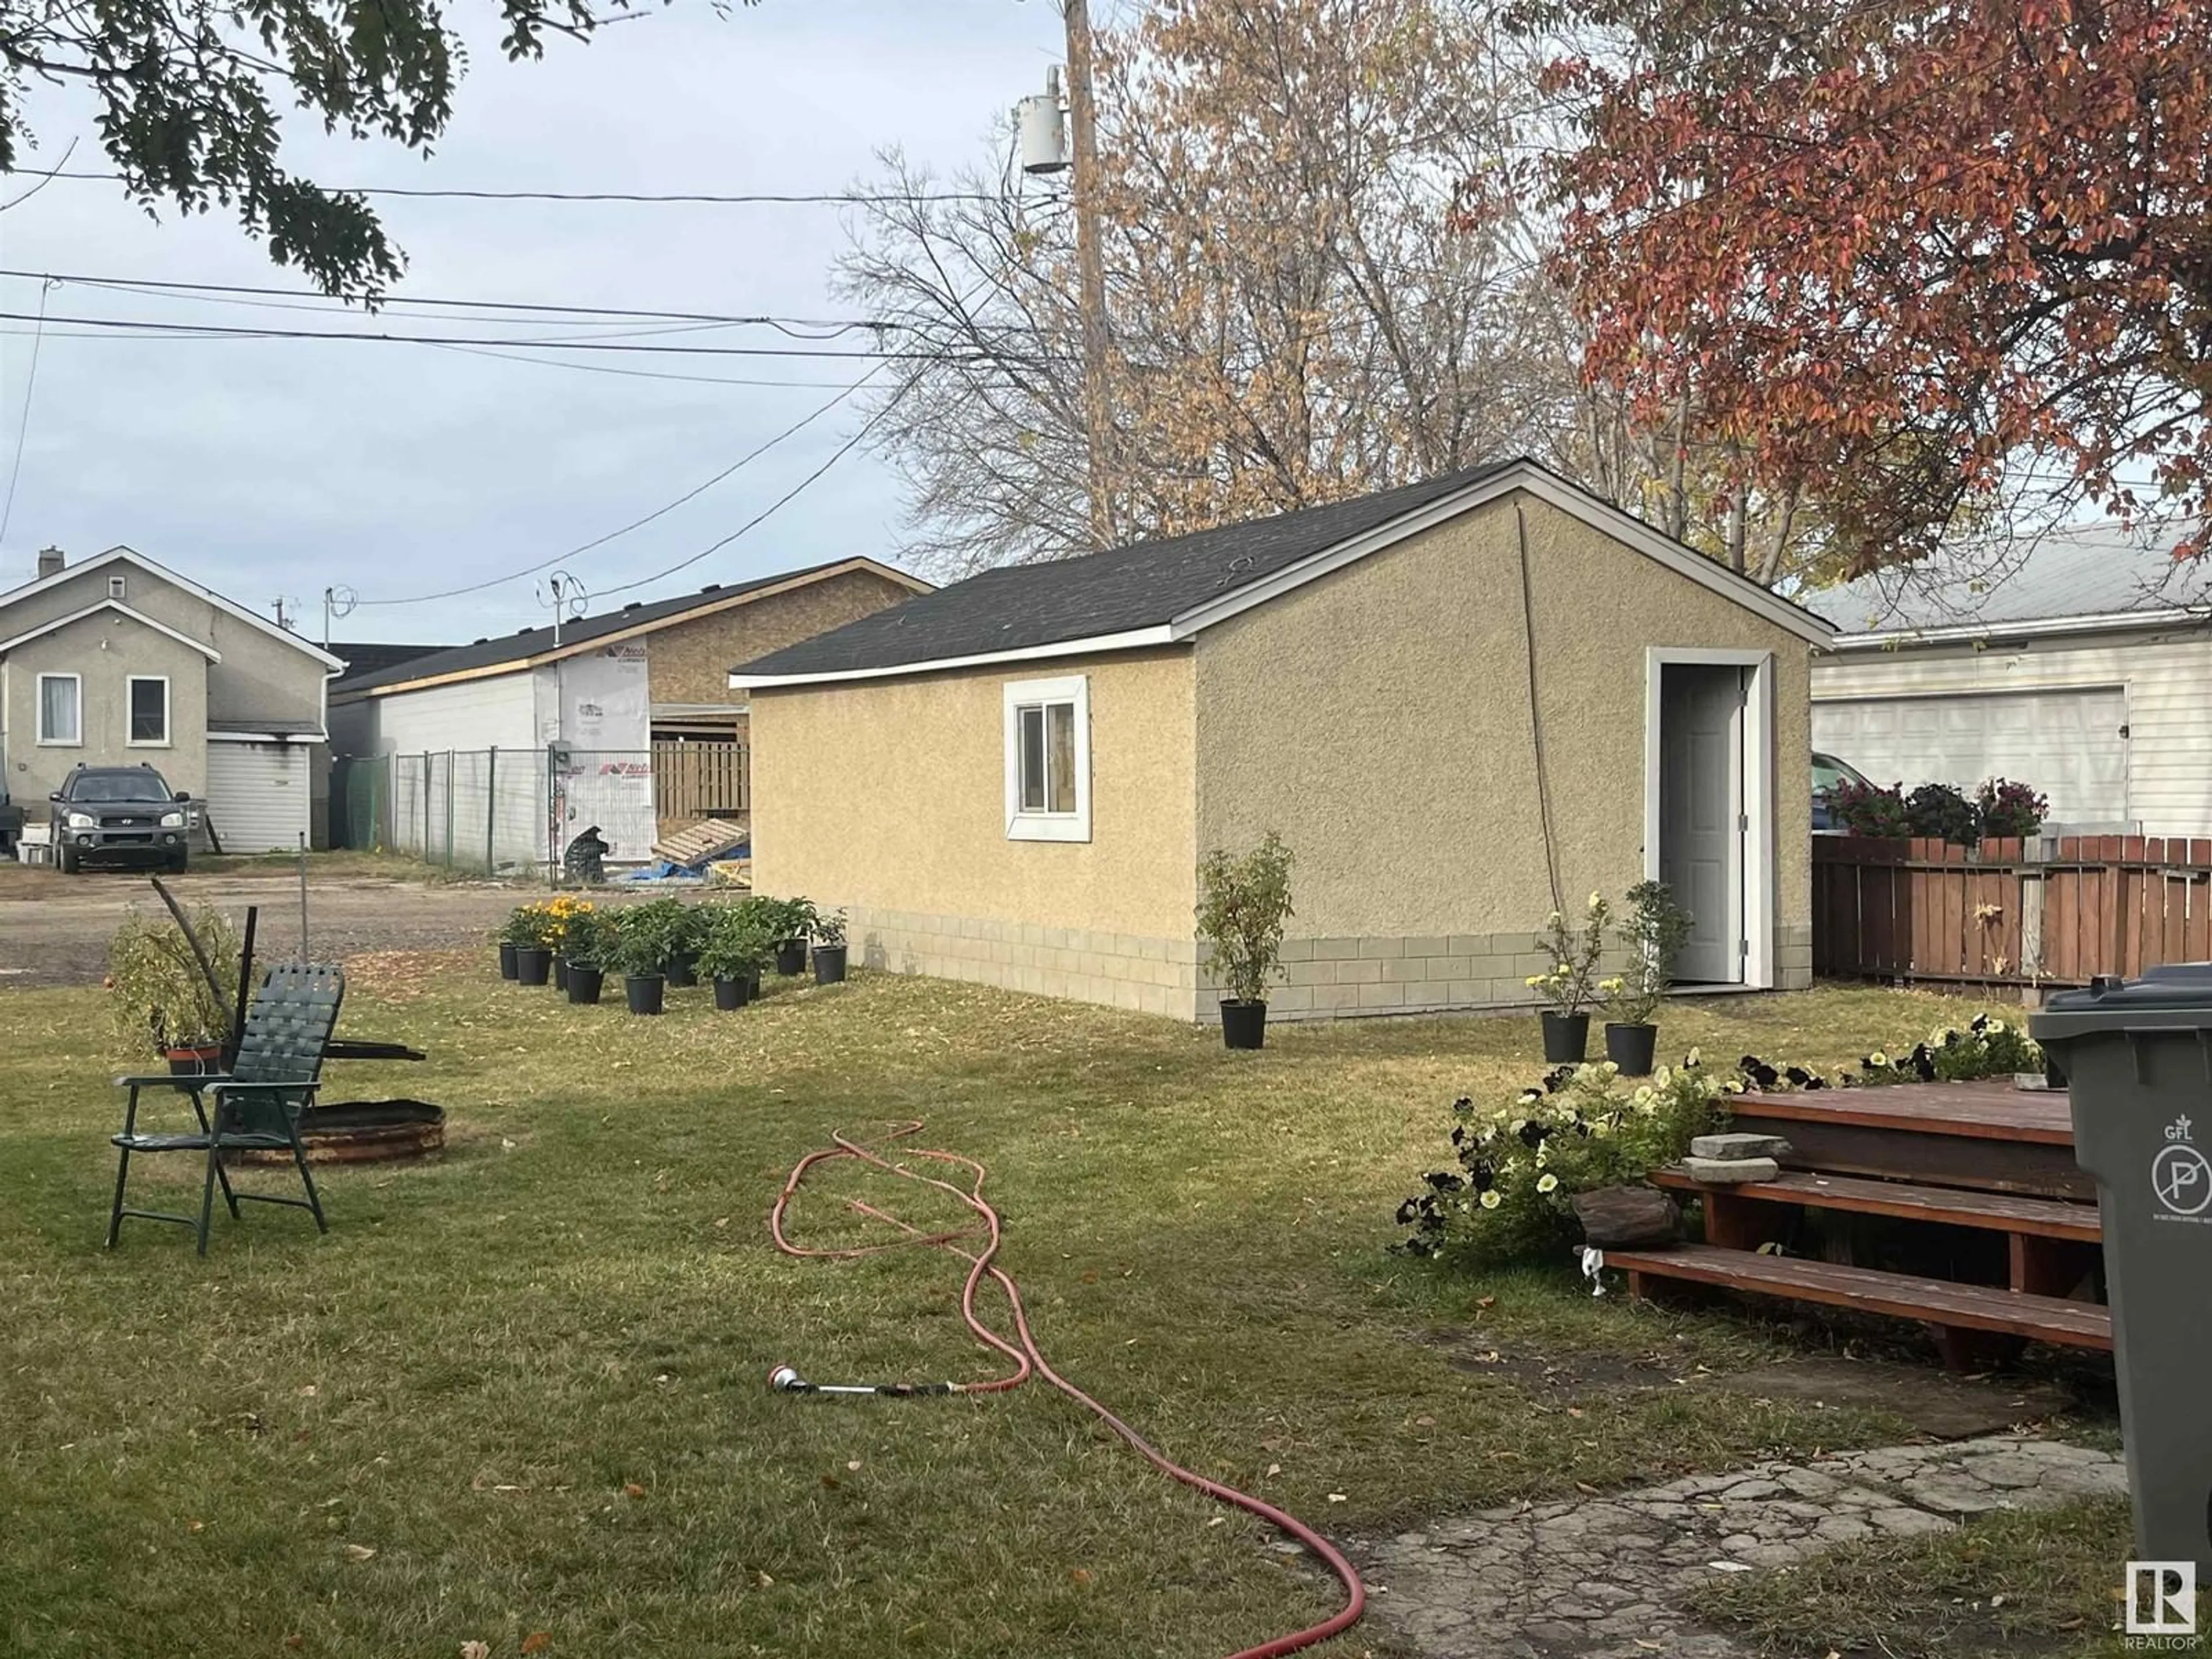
278,468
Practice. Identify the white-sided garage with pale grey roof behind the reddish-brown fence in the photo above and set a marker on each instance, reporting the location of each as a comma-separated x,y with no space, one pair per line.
2080,665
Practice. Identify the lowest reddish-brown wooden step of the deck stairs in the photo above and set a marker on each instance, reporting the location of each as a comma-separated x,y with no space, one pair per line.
1937,1302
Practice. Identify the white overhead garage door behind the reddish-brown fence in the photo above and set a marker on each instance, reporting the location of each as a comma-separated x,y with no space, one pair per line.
2069,744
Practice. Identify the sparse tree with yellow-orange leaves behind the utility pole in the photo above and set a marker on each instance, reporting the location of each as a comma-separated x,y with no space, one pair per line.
1319,284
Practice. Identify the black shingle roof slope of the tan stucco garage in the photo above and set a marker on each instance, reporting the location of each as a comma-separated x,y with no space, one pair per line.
1098,594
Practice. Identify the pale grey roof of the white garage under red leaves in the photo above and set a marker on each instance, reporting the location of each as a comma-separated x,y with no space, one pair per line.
2083,572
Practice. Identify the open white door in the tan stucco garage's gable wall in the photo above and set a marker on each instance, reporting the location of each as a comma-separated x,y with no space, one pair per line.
1702,813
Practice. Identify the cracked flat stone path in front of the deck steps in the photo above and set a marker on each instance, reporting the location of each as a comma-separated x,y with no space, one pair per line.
1605,1578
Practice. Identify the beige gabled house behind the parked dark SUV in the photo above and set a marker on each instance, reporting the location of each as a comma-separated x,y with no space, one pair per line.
118,660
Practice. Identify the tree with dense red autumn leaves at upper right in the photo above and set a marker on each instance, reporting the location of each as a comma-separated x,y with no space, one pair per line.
1879,262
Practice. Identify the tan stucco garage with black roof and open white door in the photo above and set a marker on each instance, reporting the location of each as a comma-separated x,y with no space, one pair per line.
1463,705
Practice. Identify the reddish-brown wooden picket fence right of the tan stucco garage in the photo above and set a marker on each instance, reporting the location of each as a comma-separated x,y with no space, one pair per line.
2038,910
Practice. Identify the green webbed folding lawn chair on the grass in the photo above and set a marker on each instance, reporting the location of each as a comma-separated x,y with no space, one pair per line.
258,1103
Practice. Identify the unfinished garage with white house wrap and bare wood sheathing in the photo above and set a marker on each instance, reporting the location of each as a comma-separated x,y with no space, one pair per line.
497,753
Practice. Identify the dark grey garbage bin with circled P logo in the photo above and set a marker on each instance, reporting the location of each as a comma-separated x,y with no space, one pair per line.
2138,1058
